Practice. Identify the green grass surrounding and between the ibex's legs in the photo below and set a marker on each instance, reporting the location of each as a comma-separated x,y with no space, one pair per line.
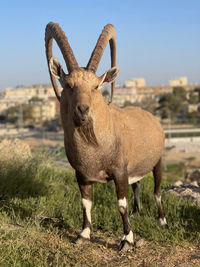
39,203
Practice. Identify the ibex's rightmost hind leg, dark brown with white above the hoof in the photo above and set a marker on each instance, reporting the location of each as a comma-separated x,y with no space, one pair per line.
157,173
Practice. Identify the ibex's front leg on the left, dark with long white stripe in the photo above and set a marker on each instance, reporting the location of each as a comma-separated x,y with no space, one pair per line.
86,194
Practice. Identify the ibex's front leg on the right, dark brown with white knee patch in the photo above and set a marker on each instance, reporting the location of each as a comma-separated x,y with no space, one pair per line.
121,183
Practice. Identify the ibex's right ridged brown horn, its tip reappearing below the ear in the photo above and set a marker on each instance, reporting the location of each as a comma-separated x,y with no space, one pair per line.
108,34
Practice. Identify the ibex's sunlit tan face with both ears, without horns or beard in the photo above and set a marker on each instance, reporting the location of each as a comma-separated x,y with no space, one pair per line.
80,88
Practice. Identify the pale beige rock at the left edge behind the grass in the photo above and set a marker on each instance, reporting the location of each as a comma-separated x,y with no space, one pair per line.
14,150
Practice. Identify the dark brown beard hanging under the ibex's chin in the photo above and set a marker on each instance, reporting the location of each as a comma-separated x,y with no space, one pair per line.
86,131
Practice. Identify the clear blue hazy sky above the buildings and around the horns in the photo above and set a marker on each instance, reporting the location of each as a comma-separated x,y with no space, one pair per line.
157,40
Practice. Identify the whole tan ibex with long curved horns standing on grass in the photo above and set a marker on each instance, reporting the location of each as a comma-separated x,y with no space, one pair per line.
102,141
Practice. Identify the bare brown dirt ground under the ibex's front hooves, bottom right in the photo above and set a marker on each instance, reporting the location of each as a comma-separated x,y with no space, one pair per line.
105,252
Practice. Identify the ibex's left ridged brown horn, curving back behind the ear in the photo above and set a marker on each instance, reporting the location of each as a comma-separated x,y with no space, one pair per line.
53,31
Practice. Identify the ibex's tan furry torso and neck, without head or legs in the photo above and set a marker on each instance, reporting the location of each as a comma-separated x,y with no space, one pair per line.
128,137
